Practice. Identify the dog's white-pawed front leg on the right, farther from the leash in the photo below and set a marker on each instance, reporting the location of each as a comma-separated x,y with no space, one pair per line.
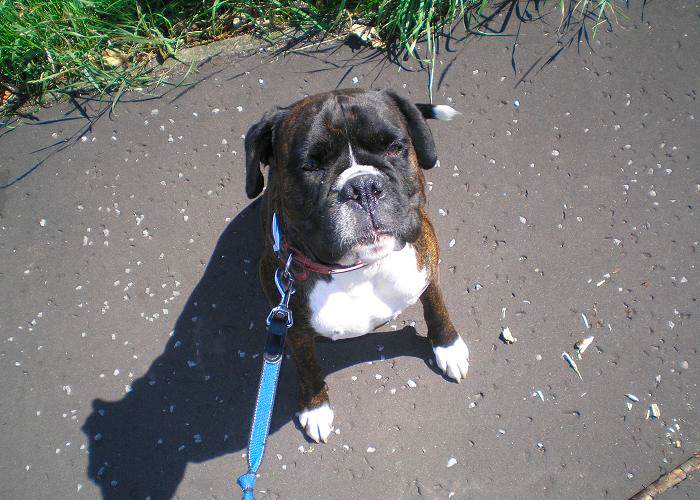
451,353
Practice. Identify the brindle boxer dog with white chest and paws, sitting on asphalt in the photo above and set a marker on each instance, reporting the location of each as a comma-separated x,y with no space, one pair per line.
346,184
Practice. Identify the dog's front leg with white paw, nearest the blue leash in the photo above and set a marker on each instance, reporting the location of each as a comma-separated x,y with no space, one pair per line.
315,414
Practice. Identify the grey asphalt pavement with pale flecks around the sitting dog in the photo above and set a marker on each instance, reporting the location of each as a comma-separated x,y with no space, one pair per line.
131,319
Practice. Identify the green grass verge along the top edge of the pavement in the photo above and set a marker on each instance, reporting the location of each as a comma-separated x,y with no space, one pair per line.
103,46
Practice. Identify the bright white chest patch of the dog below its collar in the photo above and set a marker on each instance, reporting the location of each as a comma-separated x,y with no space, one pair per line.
354,303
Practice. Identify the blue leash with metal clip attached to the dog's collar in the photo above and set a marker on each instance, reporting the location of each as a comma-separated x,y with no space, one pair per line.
278,322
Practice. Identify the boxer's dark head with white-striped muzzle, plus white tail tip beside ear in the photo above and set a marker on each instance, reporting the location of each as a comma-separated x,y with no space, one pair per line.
345,171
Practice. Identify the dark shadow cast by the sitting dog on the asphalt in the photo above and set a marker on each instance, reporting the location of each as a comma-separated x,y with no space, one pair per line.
195,402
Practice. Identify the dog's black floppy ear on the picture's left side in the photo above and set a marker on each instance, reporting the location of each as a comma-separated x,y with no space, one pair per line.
259,147
